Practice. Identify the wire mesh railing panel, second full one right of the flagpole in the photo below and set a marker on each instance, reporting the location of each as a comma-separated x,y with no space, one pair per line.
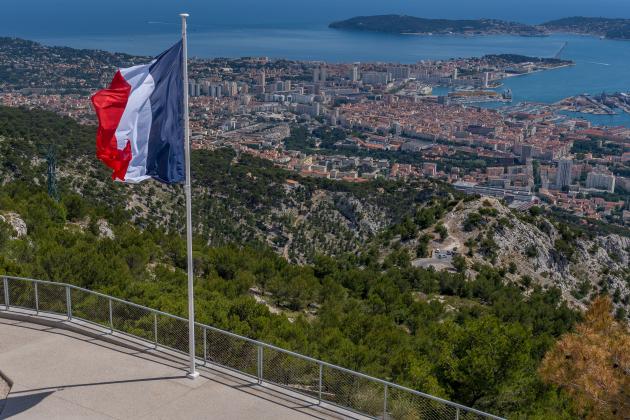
291,371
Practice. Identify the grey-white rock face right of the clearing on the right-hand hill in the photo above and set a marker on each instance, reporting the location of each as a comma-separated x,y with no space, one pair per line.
534,247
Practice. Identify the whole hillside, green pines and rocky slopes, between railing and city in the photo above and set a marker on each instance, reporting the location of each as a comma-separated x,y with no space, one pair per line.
356,298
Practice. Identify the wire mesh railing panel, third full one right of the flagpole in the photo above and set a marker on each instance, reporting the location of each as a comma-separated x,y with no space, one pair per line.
353,391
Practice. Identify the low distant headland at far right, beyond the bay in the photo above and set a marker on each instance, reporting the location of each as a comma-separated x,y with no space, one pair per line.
606,27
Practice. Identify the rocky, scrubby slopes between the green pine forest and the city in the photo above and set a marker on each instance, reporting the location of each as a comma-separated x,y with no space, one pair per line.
241,199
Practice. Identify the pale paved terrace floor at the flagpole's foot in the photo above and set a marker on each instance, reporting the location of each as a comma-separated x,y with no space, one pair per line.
63,371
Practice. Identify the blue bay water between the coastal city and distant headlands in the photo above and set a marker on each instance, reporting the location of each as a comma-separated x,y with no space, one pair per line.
600,65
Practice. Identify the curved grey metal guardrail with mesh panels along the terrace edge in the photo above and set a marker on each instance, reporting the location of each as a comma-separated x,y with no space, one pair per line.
262,362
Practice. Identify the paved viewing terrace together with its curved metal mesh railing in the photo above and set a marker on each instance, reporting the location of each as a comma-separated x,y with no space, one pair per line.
74,353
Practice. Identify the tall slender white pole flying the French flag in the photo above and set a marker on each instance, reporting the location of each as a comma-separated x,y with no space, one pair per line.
192,374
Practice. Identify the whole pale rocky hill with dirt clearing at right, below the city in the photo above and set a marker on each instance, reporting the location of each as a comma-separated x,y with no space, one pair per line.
534,249
